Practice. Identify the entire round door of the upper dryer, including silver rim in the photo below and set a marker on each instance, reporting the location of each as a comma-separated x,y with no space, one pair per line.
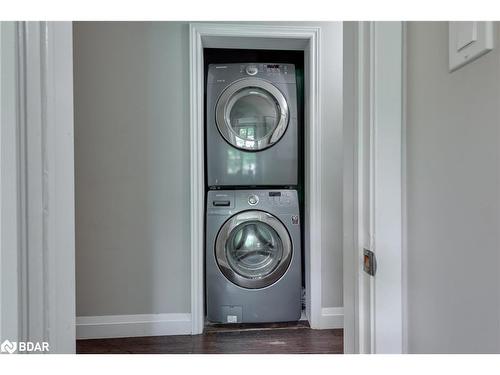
252,114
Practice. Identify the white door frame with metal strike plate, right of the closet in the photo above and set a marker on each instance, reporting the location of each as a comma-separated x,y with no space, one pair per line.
376,224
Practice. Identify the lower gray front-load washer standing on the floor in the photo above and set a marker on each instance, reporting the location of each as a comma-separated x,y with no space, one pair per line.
253,256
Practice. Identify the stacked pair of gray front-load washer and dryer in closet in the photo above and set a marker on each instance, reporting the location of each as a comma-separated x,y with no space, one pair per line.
253,236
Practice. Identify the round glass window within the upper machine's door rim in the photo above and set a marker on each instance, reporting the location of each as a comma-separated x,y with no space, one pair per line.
253,114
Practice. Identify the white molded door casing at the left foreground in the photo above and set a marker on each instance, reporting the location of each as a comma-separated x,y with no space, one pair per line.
45,199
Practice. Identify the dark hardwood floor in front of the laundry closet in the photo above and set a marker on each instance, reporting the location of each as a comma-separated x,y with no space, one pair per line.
295,338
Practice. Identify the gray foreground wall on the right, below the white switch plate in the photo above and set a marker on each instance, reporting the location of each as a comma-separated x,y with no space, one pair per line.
453,196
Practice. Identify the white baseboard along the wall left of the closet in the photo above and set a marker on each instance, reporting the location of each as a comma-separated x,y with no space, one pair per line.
108,326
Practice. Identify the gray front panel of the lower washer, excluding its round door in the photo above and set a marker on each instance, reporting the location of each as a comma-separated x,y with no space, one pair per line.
279,301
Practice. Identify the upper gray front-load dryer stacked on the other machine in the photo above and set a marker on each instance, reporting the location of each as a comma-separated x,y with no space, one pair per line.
251,125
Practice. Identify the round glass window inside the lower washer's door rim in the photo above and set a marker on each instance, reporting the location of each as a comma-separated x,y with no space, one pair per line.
254,249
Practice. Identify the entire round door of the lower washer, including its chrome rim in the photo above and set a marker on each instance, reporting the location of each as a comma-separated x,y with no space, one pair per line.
253,249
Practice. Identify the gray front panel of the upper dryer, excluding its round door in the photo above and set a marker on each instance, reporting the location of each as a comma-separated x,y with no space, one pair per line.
228,165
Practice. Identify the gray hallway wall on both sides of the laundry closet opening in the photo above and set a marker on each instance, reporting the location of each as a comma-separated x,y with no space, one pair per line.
132,167
